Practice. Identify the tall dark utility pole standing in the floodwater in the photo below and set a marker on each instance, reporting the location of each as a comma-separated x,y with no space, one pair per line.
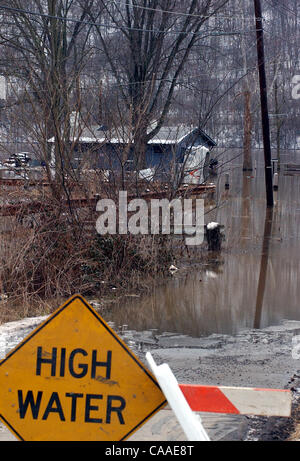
264,102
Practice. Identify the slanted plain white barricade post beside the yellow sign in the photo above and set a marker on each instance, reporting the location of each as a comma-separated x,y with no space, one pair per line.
189,421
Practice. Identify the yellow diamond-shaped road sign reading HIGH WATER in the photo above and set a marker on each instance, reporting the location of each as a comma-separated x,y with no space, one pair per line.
73,378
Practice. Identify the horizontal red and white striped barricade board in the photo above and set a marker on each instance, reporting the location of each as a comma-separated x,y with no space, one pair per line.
238,400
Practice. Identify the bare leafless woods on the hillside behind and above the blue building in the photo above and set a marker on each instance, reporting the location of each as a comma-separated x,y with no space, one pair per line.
144,64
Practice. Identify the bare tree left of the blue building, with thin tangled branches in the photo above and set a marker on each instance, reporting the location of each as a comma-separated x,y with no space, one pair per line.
46,47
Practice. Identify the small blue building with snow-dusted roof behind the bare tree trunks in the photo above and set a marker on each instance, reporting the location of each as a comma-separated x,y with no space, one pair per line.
111,149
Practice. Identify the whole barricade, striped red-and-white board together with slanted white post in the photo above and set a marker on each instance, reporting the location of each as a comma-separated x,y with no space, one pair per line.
187,399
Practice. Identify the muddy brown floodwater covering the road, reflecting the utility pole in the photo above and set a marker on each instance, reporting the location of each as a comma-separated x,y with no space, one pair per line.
252,283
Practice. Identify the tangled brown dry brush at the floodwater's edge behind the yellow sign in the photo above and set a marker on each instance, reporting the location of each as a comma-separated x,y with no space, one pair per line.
58,254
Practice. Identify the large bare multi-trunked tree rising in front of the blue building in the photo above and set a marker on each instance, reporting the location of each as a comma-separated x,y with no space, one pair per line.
147,52
